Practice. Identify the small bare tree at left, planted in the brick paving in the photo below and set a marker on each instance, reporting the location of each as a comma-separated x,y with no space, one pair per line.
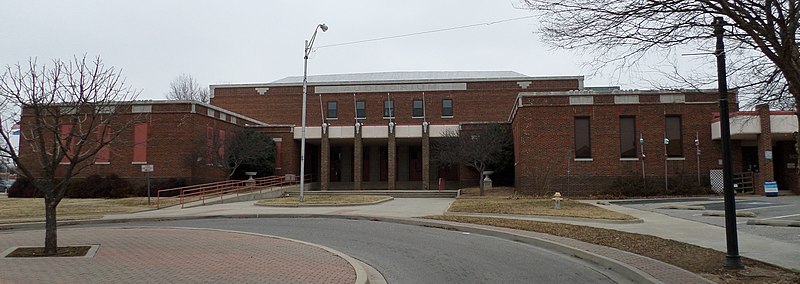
68,112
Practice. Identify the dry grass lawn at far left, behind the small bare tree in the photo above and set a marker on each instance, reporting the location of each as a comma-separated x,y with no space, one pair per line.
14,210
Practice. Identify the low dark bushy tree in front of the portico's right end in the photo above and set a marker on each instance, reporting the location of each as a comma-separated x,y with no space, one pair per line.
481,147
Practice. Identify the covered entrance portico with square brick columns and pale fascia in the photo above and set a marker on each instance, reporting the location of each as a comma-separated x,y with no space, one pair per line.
392,157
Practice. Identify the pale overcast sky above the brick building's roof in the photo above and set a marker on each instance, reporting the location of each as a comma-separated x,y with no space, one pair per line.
262,41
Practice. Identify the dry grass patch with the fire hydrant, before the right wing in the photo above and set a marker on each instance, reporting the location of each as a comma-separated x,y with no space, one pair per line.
500,201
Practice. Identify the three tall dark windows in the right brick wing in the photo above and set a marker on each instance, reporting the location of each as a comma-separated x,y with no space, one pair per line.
673,142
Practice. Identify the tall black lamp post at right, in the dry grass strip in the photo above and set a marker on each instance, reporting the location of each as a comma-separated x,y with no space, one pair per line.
732,258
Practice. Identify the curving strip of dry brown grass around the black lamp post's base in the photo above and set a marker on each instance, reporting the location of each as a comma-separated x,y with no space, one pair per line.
703,261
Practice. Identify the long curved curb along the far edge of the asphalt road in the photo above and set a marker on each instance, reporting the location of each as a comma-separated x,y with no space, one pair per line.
621,268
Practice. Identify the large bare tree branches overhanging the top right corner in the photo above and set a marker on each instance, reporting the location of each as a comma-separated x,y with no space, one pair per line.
763,55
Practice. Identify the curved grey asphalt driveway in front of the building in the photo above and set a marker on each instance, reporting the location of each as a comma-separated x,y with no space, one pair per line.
414,254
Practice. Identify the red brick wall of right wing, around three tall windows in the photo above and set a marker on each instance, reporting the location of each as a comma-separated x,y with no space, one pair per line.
544,138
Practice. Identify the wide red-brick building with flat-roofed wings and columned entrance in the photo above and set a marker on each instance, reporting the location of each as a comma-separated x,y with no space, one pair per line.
375,130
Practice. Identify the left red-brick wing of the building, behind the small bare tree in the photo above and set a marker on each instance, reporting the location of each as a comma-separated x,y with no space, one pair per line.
177,137
